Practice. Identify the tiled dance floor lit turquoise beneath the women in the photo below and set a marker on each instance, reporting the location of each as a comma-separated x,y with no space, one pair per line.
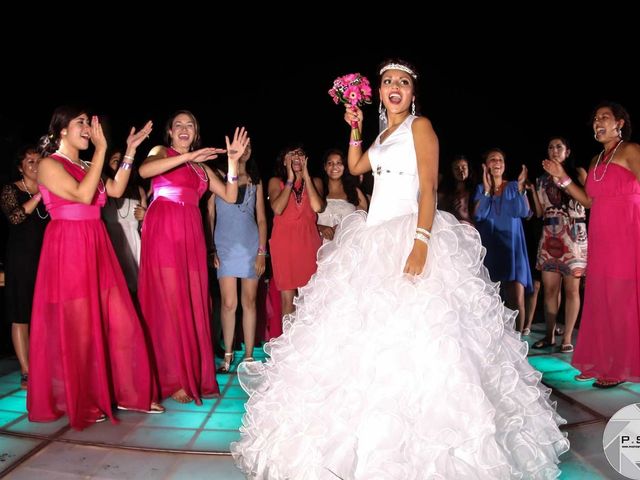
190,441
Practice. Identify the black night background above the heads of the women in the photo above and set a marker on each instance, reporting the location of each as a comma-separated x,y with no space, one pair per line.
510,79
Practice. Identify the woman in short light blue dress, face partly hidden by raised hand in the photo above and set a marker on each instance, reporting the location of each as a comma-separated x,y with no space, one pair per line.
240,236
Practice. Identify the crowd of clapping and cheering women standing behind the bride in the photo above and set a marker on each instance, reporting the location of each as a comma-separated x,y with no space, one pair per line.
107,281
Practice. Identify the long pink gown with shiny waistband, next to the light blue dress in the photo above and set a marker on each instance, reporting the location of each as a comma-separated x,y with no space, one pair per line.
173,286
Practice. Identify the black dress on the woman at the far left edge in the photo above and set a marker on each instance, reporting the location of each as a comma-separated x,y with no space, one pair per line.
23,252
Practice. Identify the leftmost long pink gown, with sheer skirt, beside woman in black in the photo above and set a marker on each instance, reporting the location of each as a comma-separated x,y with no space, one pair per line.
87,349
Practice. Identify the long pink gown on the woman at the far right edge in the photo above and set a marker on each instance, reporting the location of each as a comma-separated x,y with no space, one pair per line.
608,345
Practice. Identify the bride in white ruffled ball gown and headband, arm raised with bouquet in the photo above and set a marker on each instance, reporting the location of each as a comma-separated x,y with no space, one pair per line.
400,361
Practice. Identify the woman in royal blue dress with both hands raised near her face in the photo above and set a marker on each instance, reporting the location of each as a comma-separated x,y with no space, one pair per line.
500,207
